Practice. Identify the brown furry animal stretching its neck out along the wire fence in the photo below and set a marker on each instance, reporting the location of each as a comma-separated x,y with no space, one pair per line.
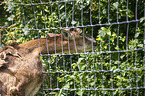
21,67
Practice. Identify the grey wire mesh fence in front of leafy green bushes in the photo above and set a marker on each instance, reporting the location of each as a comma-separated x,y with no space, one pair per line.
114,64
